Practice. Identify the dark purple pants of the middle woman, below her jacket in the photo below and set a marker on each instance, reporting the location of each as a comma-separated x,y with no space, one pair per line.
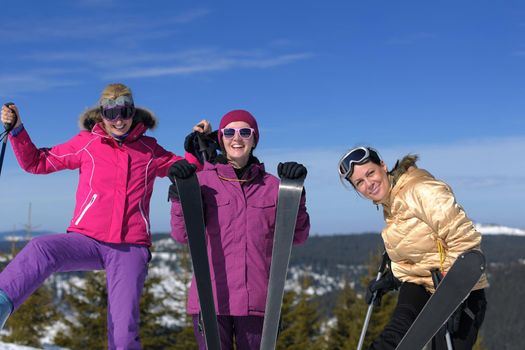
247,331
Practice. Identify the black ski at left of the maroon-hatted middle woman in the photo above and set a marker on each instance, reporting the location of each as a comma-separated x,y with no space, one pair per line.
191,201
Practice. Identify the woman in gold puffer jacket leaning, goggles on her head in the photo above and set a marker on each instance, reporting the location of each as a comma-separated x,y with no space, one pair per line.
425,229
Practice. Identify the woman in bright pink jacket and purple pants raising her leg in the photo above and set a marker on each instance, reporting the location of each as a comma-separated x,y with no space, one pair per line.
110,228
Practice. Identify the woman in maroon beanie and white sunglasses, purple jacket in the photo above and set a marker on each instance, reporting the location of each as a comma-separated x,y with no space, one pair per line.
239,199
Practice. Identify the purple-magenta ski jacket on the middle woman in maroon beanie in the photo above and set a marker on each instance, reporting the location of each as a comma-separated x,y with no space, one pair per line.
240,222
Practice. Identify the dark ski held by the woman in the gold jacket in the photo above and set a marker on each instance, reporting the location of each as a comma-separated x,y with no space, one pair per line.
453,289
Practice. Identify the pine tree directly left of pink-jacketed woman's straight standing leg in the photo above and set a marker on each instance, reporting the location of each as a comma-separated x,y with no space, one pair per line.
87,329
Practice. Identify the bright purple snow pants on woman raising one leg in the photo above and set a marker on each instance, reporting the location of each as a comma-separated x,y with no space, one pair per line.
126,268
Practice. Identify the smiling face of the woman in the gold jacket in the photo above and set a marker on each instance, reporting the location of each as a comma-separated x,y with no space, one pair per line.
371,180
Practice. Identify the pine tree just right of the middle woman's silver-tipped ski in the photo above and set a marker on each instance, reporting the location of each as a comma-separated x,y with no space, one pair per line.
300,322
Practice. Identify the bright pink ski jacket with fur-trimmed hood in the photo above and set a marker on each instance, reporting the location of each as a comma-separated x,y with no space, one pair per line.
115,179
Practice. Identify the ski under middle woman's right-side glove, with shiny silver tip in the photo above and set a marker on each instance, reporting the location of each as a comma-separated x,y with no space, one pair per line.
287,208
